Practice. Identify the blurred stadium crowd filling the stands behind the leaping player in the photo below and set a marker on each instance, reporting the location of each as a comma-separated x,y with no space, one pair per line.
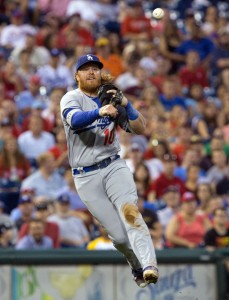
175,71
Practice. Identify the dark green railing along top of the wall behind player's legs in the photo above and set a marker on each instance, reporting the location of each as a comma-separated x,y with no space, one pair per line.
75,257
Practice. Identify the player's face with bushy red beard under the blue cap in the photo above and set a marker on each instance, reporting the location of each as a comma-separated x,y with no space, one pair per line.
89,78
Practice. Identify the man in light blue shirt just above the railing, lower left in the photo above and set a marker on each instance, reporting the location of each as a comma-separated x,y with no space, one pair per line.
36,238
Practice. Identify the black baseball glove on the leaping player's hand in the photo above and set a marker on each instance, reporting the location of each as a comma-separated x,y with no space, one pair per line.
114,99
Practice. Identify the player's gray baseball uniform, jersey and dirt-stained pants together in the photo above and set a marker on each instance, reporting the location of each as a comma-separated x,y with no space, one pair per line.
105,190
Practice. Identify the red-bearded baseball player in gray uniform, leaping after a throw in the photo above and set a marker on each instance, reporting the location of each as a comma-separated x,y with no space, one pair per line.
102,178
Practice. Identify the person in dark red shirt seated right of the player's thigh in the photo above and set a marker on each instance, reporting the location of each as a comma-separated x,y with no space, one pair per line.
166,179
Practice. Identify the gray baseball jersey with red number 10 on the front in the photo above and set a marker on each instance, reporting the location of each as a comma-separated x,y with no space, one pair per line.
92,143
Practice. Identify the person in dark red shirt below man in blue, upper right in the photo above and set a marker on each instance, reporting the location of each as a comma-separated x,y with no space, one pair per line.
192,72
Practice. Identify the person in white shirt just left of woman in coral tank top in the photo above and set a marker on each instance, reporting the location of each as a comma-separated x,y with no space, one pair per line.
171,199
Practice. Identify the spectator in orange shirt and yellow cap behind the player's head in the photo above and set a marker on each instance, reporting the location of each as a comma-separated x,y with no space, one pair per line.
112,63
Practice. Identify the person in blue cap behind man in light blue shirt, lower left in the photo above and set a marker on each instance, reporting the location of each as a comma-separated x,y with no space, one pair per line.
25,206
